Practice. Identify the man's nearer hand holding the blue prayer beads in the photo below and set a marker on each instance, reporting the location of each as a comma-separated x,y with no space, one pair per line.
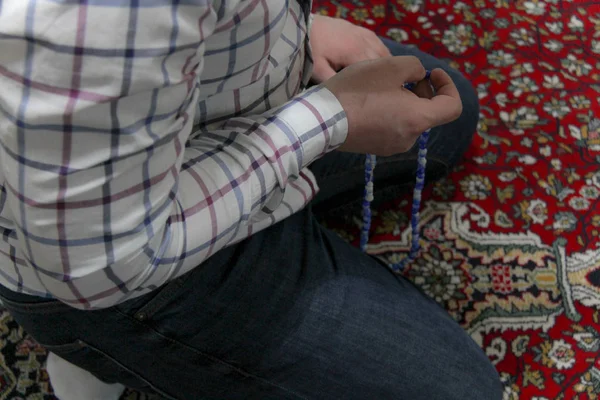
384,118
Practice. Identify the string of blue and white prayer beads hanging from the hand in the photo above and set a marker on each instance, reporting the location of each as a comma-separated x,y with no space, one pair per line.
370,162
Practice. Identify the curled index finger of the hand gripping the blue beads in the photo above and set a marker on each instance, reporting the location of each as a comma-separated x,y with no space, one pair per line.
446,105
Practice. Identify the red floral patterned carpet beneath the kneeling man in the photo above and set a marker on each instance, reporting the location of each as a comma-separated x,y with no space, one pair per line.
511,239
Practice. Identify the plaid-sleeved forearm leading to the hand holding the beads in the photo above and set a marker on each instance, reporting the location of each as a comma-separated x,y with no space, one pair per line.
245,169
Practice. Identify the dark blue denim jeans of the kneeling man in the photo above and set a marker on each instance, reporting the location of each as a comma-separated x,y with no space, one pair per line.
293,312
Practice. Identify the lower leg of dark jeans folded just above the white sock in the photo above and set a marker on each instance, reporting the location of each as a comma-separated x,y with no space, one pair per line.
101,365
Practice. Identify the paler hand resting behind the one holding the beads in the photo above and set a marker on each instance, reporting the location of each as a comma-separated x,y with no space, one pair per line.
337,44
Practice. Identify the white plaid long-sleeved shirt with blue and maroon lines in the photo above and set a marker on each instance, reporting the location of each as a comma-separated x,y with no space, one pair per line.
139,137
